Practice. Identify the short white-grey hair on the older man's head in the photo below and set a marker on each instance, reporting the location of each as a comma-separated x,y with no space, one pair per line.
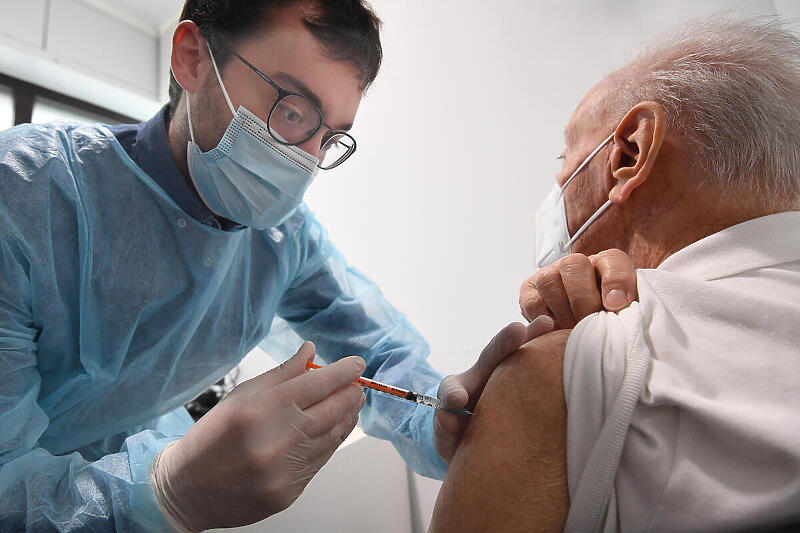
732,88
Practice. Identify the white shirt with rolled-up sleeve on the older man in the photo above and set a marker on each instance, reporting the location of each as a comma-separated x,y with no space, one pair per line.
684,409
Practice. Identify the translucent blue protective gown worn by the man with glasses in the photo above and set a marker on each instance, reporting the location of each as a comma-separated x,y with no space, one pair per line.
117,307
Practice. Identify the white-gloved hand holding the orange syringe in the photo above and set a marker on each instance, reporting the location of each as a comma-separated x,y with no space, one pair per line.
253,454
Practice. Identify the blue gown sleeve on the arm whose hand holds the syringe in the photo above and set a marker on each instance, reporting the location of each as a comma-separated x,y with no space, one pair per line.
40,491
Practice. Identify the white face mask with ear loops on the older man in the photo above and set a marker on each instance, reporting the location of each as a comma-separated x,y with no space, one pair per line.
552,234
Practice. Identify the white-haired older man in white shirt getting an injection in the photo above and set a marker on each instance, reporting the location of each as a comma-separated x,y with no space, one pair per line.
681,412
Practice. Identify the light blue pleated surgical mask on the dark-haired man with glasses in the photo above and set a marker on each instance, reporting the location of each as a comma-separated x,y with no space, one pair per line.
249,177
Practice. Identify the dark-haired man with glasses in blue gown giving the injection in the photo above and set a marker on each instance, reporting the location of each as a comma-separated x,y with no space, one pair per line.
140,263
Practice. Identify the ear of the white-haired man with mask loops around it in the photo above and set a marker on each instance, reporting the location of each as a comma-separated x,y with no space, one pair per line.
637,142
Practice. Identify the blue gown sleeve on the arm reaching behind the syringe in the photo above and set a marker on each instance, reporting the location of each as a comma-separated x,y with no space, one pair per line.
344,313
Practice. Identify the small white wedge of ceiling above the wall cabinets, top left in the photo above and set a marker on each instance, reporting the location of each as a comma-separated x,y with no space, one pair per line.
148,16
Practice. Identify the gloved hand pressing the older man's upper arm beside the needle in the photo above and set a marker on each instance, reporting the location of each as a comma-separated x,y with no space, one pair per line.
463,390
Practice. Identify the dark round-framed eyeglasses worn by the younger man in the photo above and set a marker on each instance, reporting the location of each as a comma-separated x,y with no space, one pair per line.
294,119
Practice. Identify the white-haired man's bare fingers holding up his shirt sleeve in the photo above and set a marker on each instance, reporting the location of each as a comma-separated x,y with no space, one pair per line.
576,286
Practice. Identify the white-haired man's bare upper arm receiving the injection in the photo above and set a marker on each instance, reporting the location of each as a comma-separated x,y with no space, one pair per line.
509,474
